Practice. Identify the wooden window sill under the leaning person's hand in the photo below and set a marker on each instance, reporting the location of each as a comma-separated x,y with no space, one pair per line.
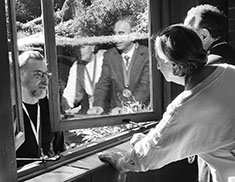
81,161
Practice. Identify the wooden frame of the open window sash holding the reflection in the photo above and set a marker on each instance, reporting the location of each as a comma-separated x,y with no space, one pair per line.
73,123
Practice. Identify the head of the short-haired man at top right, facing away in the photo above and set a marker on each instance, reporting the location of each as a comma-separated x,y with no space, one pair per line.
209,23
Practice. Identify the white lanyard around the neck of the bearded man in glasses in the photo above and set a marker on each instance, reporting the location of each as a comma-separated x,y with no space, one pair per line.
35,130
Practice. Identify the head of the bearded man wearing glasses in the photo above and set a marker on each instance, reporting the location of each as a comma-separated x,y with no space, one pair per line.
34,76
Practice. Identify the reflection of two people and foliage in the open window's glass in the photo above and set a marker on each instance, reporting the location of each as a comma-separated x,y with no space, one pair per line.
82,43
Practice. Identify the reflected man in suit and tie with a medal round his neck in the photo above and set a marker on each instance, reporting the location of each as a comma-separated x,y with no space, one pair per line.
125,73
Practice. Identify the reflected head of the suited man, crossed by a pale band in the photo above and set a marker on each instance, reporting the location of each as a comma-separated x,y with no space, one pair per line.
124,26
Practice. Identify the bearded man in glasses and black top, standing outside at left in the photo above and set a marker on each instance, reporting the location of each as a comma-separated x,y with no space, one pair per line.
39,138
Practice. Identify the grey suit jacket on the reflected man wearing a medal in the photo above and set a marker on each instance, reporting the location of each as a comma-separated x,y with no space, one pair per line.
111,82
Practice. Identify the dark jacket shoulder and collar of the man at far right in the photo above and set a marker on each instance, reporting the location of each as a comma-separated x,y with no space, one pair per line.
222,50
